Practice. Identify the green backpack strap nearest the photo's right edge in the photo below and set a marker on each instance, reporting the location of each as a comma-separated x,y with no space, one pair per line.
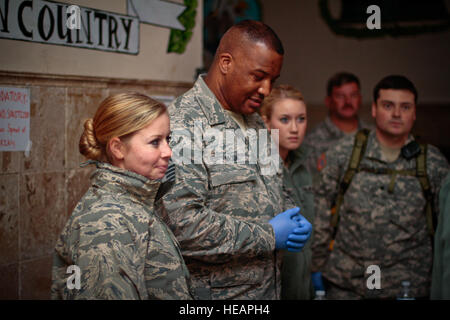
421,173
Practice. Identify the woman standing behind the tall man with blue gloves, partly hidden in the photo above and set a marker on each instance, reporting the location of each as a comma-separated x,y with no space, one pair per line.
285,110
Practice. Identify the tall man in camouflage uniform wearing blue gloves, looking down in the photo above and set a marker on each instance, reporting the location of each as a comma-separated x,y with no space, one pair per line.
221,208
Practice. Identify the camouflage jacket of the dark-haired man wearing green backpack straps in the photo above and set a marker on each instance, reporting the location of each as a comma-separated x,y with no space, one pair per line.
382,222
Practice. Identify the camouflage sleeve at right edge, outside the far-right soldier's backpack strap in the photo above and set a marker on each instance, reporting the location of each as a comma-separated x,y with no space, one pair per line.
437,169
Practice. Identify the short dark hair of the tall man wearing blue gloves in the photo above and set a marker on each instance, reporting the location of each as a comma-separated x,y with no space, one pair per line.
257,31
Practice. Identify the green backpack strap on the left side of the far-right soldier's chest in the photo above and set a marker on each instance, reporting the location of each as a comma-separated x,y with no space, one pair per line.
359,148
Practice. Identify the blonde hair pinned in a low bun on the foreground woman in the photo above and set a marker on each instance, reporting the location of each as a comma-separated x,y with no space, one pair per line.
119,115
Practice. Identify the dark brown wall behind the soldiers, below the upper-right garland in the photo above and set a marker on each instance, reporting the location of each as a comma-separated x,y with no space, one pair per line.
314,53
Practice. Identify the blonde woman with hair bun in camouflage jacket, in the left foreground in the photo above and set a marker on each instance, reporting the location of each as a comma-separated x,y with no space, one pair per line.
115,236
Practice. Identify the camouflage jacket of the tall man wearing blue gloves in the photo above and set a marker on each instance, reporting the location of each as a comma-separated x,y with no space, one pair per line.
219,210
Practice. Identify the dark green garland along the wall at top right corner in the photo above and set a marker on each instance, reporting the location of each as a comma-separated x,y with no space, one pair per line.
395,31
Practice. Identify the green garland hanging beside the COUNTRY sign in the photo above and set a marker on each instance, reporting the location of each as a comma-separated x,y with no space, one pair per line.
179,39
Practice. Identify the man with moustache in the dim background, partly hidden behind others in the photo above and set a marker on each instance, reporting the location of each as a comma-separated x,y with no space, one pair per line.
343,102
